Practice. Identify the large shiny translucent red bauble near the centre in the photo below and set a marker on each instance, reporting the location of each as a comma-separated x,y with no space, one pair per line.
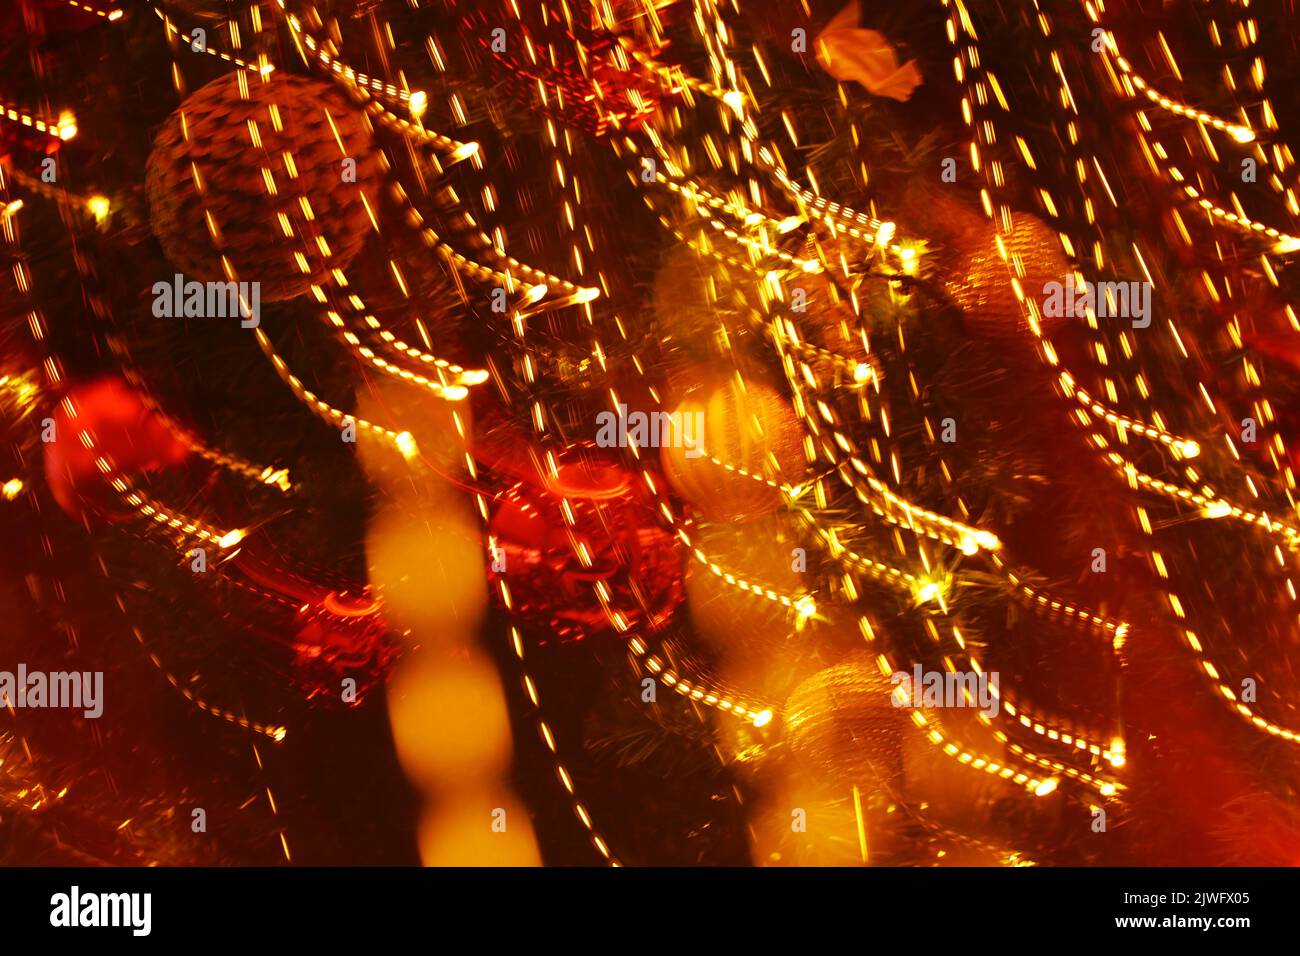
632,560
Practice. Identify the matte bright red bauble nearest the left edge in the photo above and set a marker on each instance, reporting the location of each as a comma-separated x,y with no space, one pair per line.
124,431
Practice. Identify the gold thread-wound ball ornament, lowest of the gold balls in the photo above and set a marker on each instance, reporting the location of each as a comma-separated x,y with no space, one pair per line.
843,724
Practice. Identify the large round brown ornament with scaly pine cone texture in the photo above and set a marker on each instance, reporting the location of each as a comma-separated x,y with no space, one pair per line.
236,188
